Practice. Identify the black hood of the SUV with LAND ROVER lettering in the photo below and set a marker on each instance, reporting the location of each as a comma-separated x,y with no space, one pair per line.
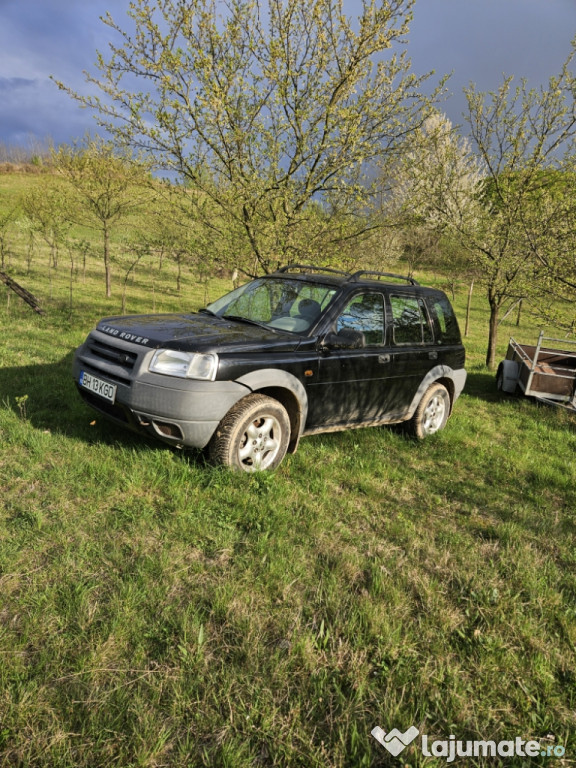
194,333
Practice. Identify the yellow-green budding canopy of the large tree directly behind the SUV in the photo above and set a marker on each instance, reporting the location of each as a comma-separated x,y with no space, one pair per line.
269,108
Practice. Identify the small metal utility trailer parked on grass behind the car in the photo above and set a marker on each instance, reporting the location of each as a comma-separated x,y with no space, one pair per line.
545,372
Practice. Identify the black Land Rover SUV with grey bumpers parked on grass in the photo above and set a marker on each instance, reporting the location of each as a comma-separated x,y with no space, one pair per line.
300,351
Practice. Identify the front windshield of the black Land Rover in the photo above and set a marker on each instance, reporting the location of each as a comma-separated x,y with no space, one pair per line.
287,305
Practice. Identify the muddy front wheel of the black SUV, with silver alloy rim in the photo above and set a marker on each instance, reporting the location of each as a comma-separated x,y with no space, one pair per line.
253,436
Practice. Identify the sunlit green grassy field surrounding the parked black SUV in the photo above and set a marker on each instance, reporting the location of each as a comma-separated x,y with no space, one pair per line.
155,611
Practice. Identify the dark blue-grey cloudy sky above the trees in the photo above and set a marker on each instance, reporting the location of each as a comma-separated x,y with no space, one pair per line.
476,40
